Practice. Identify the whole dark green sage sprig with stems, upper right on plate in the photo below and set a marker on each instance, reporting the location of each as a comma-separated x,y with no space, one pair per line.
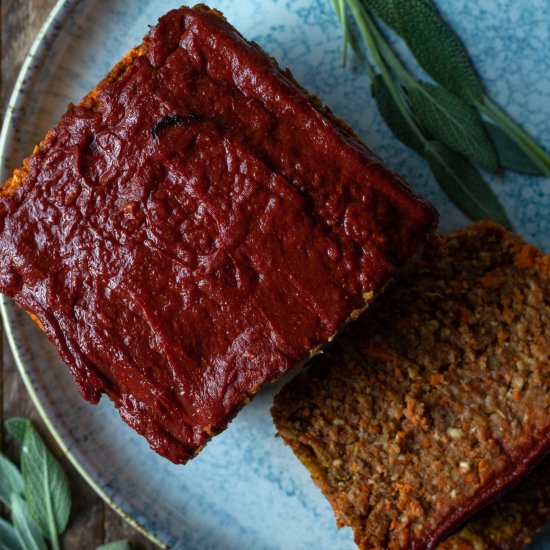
441,121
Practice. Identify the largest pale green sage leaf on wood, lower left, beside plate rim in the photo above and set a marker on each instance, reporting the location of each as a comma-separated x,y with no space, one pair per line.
46,486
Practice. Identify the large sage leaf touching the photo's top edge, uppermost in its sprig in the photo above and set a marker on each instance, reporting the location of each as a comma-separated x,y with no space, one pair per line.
437,48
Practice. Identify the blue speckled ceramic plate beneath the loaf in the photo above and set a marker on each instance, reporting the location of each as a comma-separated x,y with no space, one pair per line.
246,489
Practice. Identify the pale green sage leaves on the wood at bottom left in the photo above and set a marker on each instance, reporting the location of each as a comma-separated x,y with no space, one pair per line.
38,495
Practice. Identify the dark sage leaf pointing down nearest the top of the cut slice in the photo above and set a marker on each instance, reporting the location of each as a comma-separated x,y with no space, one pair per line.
464,186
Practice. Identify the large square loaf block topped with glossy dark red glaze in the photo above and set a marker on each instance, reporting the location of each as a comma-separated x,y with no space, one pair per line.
196,226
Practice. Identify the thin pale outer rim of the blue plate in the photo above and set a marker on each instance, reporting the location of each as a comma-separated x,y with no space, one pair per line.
35,55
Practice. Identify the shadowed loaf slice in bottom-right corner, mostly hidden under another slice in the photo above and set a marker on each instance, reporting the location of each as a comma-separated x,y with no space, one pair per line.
511,522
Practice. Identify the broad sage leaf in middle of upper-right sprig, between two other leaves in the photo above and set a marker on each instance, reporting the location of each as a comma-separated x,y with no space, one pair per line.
455,123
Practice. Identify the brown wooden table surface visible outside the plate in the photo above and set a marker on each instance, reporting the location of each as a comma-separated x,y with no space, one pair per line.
92,521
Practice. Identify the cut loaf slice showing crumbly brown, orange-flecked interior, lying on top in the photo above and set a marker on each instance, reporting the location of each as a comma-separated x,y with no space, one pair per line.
438,399
